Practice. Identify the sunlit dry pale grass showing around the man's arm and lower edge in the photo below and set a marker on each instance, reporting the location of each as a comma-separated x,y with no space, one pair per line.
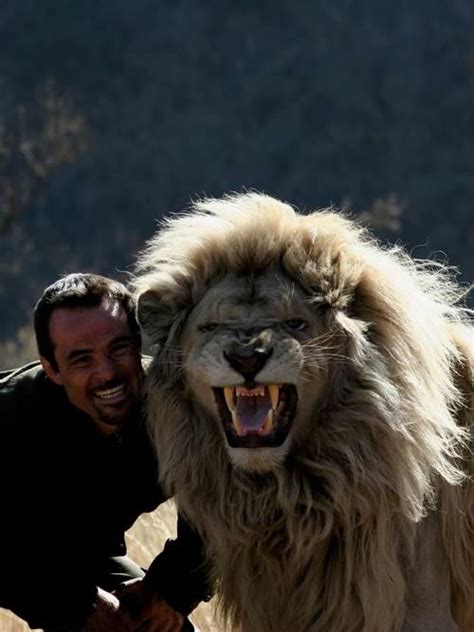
145,539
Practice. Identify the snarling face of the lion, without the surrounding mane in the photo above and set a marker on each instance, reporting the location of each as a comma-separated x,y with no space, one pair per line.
250,361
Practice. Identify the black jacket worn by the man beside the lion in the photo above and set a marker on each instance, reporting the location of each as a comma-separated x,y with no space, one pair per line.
67,495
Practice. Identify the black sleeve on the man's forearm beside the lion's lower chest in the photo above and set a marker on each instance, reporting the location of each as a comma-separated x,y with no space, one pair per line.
179,573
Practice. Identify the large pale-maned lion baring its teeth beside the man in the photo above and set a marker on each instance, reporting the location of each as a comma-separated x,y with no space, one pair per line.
311,402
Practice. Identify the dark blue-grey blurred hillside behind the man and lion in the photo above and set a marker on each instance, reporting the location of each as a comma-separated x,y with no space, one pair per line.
114,113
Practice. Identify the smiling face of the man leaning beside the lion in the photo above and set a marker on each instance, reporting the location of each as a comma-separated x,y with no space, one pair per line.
98,362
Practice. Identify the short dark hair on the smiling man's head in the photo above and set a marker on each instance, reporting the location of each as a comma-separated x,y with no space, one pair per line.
79,290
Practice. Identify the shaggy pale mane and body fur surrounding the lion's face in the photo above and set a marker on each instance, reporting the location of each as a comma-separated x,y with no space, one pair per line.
327,540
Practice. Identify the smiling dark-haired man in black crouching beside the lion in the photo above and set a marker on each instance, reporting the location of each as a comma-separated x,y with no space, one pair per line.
77,470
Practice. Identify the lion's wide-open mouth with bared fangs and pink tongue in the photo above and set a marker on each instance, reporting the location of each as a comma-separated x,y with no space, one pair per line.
256,416
